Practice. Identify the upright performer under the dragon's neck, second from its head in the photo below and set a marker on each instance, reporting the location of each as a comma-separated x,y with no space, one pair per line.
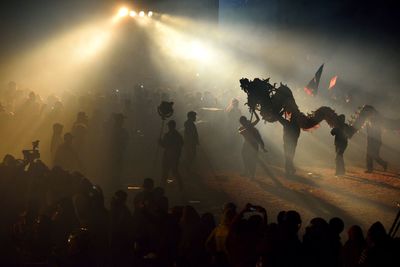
291,133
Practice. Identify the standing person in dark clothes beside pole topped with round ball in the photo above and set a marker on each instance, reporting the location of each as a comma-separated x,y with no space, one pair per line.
172,142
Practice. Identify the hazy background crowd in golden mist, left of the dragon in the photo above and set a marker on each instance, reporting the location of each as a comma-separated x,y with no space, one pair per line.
105,134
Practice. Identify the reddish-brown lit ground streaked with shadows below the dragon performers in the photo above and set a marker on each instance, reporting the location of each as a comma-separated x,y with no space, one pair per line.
357,197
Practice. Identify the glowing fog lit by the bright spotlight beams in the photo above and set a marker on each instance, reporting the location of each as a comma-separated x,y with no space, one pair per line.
98,63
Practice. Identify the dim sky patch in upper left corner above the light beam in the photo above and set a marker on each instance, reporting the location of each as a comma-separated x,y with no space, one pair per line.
22,22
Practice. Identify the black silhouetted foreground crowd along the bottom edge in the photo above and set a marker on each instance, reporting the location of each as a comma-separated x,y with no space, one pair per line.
51,217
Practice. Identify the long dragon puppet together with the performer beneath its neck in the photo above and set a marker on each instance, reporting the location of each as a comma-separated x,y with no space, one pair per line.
278,104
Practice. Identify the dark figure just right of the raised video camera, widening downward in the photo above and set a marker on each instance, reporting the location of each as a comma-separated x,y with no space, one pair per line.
66,156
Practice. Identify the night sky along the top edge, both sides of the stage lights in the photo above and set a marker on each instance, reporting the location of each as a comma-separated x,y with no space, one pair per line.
22,23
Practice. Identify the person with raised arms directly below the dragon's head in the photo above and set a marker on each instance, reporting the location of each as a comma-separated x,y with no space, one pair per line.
252,142
